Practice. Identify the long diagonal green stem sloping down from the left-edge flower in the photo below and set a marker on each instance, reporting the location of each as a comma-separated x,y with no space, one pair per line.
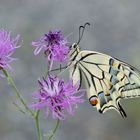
17,92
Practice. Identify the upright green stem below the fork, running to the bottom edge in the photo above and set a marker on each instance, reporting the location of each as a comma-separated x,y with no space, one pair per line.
36,118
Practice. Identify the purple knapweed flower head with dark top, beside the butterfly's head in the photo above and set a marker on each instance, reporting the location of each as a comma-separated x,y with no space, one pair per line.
54,45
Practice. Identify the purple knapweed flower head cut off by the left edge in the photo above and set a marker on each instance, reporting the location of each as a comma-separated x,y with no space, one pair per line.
8,46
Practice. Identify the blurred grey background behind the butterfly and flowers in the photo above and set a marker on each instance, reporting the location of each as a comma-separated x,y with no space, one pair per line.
114,30
